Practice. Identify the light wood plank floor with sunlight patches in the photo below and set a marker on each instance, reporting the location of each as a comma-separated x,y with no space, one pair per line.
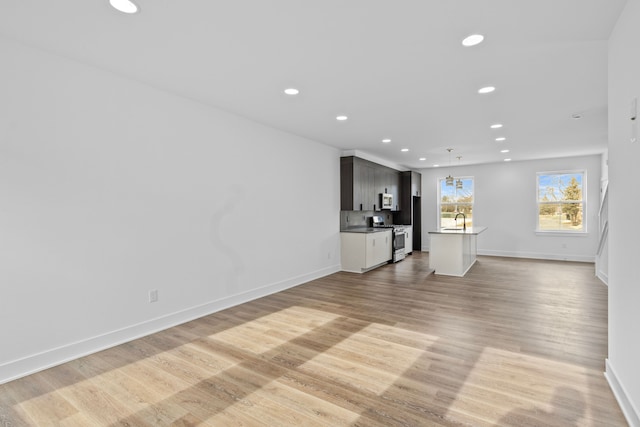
515,342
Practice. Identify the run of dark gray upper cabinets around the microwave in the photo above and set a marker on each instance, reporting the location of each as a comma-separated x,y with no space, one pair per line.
362,182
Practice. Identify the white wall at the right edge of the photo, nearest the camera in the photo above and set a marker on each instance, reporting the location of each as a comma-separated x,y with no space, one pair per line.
623,363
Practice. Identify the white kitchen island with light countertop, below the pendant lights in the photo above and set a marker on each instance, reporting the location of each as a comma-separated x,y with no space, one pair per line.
453,251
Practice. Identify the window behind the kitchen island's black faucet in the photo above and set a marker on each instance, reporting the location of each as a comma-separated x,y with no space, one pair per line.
453,199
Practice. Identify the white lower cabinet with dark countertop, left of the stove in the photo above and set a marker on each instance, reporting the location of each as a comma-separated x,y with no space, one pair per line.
361,252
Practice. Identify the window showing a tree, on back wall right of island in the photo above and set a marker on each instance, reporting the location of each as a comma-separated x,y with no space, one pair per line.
561,201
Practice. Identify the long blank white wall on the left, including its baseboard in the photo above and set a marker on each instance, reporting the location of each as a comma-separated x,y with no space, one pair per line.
110,188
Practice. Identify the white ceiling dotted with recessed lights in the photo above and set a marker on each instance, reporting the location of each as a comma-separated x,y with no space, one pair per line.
396,68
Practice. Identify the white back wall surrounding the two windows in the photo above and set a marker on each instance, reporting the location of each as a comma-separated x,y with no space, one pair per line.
505,202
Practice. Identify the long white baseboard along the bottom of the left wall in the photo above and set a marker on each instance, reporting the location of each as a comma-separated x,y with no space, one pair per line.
56,356
